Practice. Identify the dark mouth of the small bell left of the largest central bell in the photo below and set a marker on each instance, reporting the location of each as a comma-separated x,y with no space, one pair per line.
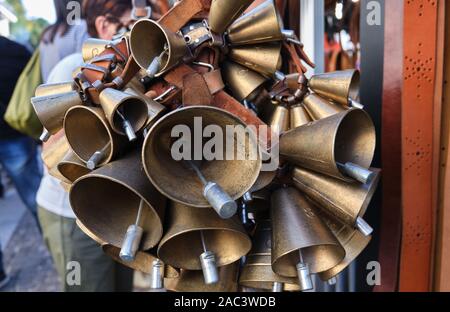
135,111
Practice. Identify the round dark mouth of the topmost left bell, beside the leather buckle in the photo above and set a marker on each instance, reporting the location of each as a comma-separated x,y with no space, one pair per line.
145,50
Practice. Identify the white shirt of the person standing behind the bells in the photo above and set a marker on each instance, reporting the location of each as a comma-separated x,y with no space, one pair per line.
51,195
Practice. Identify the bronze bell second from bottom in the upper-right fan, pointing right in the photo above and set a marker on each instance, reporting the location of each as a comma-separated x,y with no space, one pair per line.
263,58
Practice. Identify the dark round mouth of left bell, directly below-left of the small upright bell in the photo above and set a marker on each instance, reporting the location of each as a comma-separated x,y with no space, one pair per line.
87,132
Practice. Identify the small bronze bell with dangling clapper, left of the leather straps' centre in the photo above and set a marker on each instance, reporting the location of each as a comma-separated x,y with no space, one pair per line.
126,113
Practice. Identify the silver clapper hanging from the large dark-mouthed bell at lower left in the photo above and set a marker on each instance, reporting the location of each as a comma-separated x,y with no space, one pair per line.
132,238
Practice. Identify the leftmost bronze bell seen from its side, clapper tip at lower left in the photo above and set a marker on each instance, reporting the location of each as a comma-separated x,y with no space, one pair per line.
51,108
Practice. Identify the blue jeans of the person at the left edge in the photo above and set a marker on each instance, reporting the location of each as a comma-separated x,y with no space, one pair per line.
18,158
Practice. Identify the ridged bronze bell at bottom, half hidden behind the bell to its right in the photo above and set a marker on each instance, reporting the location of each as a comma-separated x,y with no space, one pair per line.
257,272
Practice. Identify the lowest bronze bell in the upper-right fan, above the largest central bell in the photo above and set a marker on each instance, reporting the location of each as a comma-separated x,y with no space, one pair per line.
244,83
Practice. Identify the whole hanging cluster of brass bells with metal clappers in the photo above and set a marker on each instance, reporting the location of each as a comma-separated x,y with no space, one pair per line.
220,224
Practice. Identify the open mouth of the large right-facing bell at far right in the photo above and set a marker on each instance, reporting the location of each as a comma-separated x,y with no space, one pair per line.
355,139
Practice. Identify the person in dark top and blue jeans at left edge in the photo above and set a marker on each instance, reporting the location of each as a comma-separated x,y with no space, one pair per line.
17,151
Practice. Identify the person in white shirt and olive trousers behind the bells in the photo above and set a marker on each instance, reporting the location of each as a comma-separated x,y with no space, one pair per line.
65,240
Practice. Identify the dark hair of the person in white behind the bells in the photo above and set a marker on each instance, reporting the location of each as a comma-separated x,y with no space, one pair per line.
111,9
